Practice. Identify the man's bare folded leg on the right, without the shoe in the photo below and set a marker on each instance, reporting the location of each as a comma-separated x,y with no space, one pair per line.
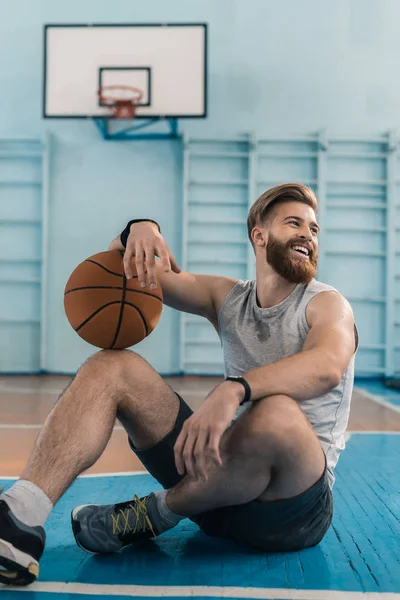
270,453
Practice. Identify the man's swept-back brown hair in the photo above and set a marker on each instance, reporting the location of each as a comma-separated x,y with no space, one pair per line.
286,192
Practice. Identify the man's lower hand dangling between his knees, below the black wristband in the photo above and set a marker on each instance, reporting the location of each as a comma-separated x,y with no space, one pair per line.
199,440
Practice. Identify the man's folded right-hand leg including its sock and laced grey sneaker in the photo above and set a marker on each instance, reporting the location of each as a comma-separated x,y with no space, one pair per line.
270,453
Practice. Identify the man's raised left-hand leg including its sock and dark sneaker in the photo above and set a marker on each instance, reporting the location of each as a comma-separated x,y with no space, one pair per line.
110,384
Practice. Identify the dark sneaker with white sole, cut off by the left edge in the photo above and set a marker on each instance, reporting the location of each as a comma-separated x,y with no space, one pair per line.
21,547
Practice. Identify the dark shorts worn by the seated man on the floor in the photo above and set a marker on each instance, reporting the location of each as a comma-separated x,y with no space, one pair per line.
277,526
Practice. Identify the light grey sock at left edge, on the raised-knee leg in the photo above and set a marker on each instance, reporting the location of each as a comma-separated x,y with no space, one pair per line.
28,503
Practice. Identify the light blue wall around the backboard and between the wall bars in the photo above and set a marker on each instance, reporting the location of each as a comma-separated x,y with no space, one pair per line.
274,67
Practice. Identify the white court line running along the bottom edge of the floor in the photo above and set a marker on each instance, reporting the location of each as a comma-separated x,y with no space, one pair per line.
92,589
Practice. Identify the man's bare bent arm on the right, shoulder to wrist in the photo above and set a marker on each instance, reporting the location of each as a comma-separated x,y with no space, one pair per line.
320,365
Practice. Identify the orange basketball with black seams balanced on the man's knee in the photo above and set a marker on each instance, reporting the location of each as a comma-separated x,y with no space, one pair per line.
106,309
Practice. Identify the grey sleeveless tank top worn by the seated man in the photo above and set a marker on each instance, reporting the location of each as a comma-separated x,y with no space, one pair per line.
252,336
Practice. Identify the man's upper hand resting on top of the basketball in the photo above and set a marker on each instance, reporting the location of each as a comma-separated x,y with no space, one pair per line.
145,243
